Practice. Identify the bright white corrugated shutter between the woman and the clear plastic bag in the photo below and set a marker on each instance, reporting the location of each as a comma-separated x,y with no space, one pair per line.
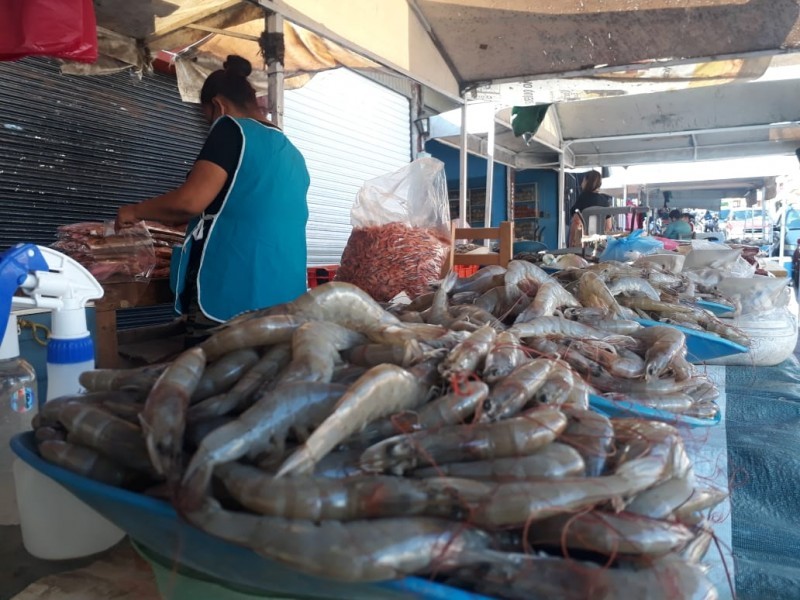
349,129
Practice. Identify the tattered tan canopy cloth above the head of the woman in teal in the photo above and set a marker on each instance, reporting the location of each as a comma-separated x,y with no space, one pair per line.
199,34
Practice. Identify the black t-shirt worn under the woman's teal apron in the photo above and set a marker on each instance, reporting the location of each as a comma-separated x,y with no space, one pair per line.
223,147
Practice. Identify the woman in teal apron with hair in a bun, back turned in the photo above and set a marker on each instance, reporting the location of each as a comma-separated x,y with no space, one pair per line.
245,200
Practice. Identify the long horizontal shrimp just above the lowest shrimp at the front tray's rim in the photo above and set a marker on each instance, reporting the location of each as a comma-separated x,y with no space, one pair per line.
317,498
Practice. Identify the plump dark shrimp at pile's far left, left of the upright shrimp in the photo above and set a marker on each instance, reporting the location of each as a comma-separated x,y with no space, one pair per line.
116,438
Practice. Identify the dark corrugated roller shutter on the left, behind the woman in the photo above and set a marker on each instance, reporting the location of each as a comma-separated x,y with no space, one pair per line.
75,148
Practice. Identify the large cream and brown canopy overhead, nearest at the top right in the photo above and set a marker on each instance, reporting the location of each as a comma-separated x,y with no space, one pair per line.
455,45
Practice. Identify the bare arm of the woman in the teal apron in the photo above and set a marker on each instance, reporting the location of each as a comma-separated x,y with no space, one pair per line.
204,182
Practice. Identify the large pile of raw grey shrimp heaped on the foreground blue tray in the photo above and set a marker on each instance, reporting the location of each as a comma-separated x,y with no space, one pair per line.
334,437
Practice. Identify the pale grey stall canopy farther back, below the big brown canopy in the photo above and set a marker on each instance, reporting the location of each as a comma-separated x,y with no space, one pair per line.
751,115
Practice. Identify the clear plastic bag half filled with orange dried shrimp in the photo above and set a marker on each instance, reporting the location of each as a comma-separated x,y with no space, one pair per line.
401,232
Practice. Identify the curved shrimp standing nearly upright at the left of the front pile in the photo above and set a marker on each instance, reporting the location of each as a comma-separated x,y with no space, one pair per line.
163,418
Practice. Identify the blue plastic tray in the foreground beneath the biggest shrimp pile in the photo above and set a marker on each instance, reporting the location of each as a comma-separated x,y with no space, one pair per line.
154,524
